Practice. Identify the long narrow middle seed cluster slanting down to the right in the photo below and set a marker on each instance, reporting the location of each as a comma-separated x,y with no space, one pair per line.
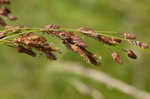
74,43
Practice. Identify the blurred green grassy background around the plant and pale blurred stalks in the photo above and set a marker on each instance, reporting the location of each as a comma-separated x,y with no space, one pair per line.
24,77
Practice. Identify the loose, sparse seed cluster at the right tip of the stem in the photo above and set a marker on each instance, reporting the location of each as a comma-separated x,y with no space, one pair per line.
130,37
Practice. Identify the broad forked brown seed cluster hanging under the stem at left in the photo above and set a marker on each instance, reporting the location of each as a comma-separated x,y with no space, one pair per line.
27,41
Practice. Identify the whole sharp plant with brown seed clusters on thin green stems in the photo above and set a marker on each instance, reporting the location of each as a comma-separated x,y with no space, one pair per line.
27,40
